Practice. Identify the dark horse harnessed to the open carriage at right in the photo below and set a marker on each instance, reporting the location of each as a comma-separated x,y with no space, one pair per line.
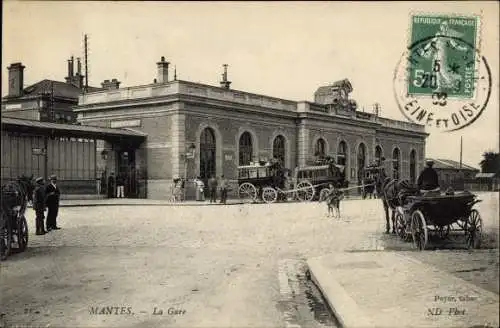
392,192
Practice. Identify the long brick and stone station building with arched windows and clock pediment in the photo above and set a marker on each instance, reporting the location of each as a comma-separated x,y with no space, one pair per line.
192,129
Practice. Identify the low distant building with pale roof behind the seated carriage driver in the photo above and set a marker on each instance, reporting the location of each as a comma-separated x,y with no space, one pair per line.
451,174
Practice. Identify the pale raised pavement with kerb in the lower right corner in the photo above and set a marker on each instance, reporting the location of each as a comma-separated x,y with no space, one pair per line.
385,289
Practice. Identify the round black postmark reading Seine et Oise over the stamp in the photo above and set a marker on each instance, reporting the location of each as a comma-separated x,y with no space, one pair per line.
443,82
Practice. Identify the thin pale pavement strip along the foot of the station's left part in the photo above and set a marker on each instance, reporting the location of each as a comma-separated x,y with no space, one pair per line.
137,202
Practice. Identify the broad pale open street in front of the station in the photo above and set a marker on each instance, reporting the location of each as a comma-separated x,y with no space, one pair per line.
210,266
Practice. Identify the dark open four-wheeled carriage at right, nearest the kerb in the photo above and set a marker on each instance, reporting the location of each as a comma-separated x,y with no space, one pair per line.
439,213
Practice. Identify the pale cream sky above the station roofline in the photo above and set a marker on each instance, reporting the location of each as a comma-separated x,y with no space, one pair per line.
279,49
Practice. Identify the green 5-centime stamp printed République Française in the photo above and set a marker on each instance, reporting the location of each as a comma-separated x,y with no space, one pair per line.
443,55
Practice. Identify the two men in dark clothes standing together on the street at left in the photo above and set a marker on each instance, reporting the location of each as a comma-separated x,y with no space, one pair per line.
46,196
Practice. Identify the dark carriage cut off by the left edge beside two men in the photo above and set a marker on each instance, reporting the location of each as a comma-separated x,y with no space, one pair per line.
13,224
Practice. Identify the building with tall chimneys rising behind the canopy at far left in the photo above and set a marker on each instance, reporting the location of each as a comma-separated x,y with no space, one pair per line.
46,100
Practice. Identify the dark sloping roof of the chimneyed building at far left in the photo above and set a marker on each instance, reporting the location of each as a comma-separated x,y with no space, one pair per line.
61,90
